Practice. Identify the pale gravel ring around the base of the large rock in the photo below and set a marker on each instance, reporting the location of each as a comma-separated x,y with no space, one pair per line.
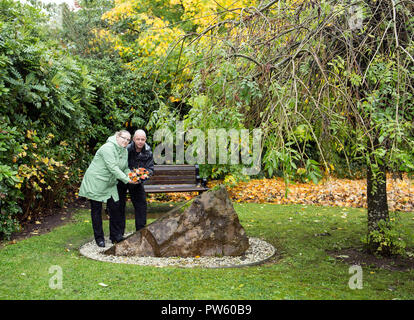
259,251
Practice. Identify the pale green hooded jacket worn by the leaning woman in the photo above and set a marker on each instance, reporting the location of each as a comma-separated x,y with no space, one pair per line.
109,165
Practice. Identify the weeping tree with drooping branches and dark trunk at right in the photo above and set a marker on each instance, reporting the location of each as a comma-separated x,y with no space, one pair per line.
339,74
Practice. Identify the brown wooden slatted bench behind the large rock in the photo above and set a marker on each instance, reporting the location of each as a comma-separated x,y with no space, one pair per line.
175,178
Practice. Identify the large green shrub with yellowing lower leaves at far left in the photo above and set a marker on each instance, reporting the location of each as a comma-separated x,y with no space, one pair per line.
45,95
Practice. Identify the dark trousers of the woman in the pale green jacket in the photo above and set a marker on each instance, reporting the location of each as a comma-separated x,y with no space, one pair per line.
115,221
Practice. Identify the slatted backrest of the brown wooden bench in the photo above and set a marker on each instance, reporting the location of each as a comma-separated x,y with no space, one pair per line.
173,174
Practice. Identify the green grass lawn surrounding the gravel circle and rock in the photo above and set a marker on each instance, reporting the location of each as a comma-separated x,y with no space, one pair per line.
303,269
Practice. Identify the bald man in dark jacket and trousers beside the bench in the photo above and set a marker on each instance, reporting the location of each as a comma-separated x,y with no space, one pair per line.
139,156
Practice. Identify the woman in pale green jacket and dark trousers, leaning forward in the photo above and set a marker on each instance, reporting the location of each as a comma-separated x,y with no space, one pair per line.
99,184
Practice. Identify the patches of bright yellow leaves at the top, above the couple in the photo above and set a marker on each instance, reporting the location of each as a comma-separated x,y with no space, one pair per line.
155,36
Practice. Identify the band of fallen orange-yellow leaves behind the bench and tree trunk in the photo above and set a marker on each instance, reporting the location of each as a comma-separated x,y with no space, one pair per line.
329,192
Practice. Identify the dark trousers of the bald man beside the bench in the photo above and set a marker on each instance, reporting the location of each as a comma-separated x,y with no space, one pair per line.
139,201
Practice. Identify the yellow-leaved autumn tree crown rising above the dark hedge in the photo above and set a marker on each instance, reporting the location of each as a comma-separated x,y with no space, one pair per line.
153,33
